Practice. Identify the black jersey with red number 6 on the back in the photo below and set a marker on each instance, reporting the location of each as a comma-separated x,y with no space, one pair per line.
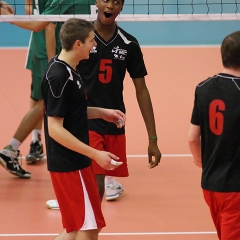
217,111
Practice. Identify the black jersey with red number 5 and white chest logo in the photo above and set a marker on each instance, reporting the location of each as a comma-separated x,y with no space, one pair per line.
104,73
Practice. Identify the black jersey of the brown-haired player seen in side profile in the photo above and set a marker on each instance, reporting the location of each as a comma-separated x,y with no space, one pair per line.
65,97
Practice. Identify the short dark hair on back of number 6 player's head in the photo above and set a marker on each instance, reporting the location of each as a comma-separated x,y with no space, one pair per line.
230,50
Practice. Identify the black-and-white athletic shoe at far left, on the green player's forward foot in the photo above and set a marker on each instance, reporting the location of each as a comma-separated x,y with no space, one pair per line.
9,160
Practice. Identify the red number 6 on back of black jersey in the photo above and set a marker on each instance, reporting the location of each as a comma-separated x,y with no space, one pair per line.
216,118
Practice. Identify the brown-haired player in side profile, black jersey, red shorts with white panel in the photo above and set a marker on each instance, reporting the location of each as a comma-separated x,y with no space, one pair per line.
66,133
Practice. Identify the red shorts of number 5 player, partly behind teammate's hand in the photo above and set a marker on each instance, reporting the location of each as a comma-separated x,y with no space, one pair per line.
115,144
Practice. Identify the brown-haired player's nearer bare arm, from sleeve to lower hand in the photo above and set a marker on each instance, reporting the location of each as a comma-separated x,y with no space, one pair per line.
66,139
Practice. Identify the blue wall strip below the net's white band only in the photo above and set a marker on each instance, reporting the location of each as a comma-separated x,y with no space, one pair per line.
154,33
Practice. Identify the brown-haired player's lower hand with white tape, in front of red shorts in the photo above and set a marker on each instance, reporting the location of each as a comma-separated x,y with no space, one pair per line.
107,160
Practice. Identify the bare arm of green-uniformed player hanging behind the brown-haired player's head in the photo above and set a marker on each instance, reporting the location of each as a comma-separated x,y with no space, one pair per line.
50,40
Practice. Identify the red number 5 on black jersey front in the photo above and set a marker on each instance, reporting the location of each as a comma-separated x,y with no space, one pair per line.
105,69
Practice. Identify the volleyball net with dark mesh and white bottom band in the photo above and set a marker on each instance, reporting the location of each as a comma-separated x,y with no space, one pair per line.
142,10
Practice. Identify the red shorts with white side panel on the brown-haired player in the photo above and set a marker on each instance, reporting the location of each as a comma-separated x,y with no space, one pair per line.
78,199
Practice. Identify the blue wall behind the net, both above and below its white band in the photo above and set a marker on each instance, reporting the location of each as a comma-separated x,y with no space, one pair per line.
150,33
